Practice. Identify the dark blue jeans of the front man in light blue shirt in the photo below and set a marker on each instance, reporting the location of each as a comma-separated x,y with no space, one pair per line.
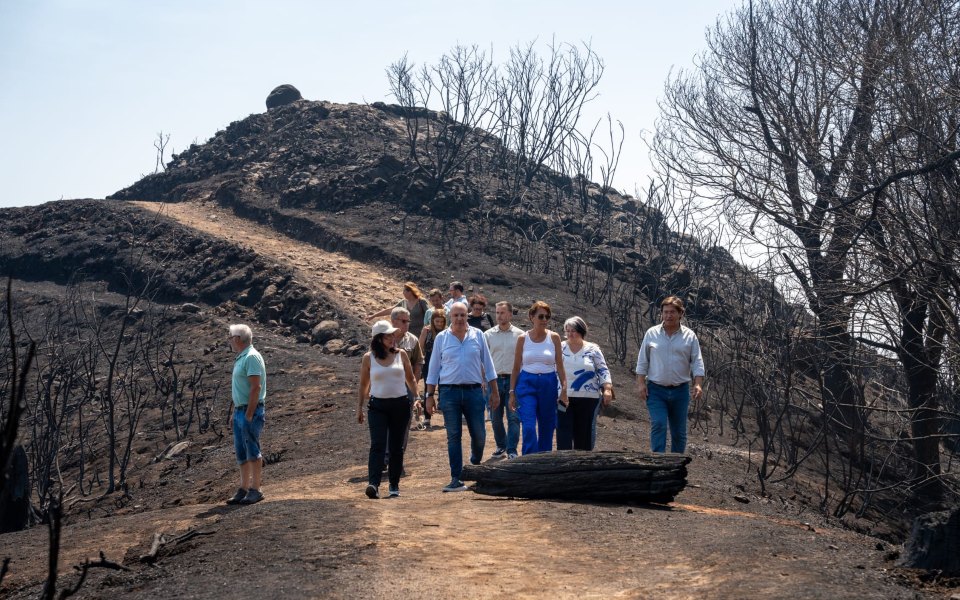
457,404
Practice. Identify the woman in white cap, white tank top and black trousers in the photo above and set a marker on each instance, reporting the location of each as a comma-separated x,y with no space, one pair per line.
385,377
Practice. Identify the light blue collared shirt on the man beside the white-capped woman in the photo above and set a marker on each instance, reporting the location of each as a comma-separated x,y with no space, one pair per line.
453,361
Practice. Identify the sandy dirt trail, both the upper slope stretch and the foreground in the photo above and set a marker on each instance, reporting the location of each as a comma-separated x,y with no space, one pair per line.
317,535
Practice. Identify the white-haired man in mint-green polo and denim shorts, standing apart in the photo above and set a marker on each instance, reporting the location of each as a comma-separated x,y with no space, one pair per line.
249,387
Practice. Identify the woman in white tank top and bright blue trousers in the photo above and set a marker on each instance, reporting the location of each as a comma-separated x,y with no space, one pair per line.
538,381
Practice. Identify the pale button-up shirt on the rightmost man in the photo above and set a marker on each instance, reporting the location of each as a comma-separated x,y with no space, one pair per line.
670,359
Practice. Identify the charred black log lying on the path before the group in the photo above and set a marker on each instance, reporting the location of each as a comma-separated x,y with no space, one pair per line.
581,475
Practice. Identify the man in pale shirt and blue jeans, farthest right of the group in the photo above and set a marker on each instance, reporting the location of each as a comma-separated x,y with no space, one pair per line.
669,354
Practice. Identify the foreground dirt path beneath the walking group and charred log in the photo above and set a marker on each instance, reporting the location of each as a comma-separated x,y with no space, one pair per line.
317,535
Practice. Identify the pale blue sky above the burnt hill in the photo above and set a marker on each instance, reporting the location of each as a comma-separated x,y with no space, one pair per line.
86,85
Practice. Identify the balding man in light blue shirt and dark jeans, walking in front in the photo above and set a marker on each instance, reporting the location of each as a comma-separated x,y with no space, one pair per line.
460,363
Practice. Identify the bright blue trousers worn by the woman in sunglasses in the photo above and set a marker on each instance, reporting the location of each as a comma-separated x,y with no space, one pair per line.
537,396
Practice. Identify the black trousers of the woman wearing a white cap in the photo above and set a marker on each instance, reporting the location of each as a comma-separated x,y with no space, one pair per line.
387,417
